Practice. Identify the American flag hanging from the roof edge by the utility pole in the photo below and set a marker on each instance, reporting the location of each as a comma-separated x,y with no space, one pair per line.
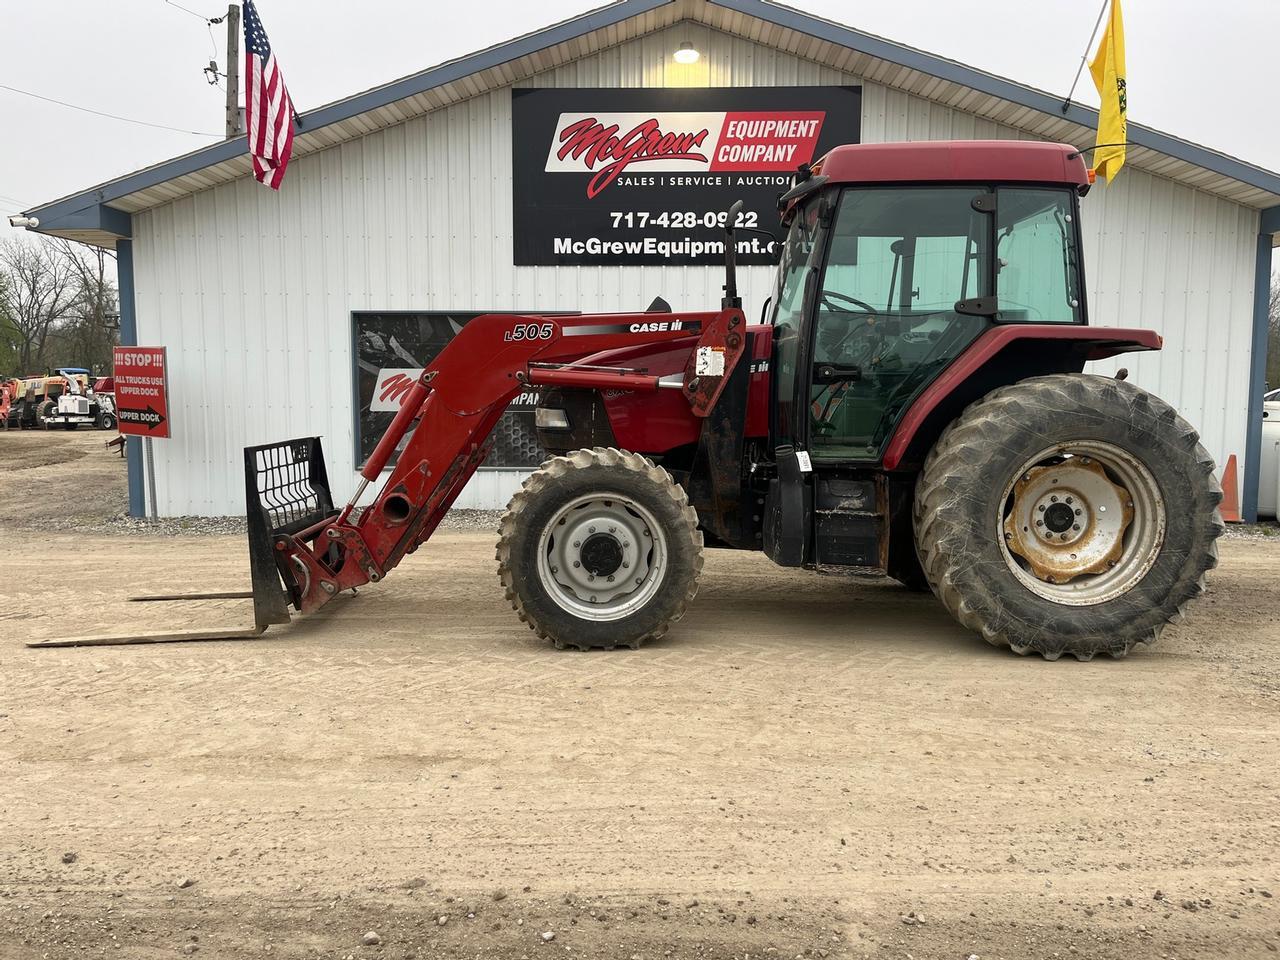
268,108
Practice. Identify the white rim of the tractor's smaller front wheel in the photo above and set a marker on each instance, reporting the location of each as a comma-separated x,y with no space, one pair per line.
602,557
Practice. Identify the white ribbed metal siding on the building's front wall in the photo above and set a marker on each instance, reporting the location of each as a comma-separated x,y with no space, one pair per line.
253,291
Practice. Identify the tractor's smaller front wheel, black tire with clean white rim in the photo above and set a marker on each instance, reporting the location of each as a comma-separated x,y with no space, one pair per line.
598,550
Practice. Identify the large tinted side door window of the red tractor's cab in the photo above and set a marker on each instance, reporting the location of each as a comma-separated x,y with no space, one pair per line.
886,322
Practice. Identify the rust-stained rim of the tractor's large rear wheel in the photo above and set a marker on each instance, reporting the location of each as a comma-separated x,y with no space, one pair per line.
1082,523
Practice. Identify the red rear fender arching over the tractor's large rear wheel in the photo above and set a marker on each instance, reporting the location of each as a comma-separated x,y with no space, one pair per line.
1004,355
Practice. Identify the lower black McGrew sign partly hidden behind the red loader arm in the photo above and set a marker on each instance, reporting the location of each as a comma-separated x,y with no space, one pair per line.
391,353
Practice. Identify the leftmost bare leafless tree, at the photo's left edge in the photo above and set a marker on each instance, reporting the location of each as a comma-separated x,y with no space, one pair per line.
38,294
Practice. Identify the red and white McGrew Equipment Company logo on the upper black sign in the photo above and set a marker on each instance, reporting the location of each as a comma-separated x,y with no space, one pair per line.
609,145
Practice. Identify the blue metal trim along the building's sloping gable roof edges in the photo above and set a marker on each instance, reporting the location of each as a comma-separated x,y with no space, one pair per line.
625,11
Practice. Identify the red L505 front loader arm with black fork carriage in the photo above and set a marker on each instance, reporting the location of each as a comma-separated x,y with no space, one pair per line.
444,432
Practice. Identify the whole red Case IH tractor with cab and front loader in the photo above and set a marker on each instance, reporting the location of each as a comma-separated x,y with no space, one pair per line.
912,401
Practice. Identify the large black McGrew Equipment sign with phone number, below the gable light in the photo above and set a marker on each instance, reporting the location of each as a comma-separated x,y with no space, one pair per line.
646,177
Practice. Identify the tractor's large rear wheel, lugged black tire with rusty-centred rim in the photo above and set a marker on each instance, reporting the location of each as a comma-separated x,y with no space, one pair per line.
1004,542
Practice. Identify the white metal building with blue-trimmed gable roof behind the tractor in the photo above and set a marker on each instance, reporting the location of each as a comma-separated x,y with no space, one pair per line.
401,199
